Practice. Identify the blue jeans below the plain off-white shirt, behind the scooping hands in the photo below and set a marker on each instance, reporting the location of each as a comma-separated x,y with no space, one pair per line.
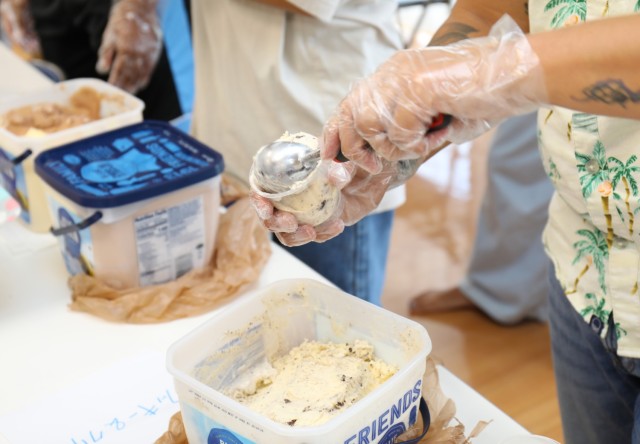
356,260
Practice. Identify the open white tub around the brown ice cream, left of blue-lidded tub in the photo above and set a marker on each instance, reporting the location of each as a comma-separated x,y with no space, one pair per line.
17,176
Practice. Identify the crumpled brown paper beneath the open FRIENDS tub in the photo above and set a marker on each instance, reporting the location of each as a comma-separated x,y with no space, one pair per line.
444,428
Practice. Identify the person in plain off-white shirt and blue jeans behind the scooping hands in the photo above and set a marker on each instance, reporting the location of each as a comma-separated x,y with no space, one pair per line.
266,67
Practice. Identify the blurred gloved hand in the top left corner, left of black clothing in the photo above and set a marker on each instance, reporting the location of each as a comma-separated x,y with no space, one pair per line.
17,27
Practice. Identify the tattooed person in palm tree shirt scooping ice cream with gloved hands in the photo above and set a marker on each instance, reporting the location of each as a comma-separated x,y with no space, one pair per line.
576,63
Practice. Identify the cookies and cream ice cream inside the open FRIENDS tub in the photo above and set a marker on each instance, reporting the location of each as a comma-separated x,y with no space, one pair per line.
313,382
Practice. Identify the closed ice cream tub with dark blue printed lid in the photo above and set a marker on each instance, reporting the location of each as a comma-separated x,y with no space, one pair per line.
135,206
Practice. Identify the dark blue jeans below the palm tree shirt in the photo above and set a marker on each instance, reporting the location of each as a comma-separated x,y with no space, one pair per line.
597,390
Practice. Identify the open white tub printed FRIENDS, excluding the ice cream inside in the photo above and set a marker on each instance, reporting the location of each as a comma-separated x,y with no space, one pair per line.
267,323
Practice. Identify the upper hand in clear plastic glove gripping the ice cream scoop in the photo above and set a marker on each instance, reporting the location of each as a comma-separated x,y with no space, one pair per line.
479,82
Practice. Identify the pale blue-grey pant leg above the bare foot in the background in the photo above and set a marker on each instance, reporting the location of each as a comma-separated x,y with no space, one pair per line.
508,268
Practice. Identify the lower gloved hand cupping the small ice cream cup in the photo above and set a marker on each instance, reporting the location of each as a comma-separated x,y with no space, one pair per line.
360,194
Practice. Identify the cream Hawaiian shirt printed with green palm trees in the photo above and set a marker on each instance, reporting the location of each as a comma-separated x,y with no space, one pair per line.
593,232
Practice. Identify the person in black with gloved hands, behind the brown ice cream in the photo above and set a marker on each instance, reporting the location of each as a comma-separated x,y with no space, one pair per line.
118,41
